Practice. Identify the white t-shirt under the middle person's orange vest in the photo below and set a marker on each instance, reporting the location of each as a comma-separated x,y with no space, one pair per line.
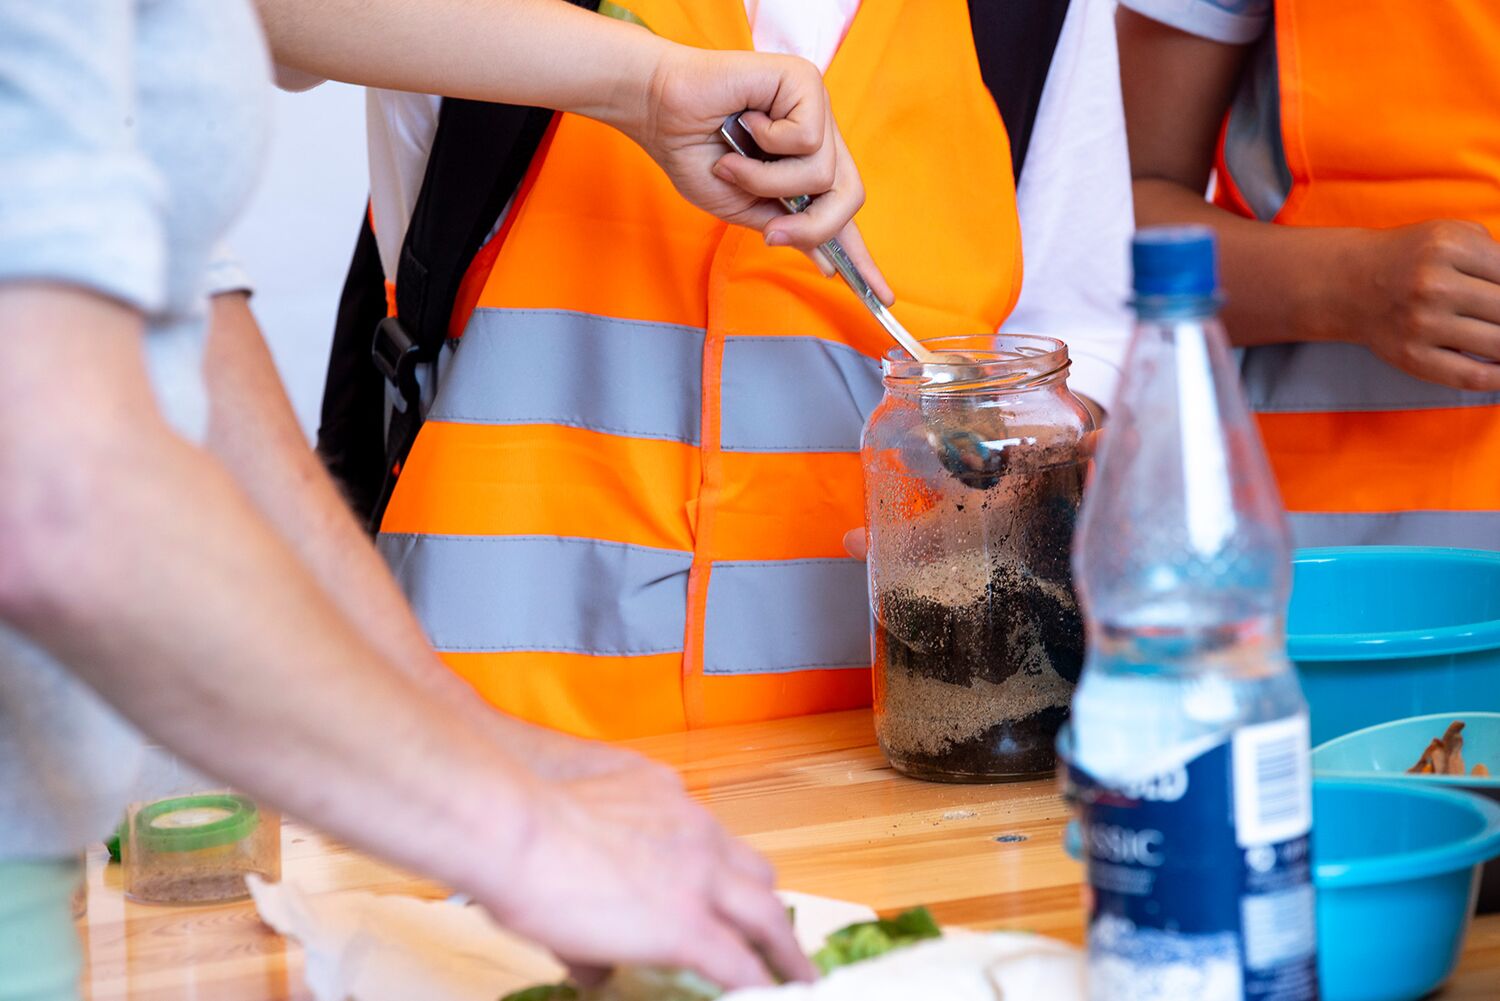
1075,197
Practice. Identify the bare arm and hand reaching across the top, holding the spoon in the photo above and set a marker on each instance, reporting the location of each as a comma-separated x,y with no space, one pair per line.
668,98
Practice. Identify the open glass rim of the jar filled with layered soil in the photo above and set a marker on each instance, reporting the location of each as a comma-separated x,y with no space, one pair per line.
997,362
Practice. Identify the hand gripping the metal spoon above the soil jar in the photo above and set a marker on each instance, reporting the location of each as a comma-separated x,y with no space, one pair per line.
689,97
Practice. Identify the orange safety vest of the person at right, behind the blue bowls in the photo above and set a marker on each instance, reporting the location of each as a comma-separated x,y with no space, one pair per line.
1388,116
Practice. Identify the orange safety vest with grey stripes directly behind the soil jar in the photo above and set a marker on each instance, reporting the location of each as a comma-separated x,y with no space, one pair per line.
626,508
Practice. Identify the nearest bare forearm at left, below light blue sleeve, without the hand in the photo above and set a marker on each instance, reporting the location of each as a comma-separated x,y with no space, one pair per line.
134,558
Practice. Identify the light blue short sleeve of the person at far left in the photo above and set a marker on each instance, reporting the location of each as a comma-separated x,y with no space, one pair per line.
79,202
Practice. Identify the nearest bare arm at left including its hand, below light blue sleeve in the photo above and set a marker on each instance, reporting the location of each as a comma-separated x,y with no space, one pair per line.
136,559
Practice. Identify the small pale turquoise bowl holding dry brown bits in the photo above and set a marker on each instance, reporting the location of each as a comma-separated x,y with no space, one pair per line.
1393,748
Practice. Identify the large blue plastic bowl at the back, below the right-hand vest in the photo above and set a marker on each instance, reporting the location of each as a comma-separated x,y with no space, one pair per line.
1382,634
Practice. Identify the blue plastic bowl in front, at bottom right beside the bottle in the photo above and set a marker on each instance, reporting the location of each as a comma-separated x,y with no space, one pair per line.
1396,868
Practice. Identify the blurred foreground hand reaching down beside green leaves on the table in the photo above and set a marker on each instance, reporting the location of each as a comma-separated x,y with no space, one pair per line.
613,871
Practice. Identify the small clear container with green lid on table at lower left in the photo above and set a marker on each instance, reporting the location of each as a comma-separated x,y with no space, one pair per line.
191,841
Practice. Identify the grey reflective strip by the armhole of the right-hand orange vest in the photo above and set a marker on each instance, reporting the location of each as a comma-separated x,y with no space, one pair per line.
1255,152
